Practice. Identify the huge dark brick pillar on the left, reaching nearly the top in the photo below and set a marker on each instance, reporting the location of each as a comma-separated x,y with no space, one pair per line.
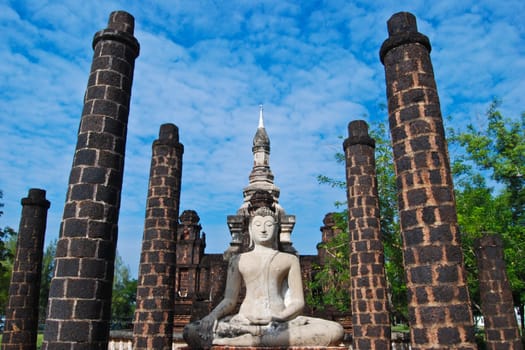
80,294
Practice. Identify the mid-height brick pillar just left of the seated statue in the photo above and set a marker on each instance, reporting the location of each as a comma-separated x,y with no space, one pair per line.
153,325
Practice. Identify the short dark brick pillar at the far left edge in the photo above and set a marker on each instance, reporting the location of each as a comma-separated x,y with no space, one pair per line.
22,309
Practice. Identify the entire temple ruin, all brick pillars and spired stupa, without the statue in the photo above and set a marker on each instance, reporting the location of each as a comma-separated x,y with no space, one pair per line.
179,282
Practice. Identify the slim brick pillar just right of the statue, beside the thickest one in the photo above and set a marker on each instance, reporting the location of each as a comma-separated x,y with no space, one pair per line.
370,315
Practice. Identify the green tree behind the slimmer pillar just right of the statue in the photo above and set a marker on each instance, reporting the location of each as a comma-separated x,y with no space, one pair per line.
338,259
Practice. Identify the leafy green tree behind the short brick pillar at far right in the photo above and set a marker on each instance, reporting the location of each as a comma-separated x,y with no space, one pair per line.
495,150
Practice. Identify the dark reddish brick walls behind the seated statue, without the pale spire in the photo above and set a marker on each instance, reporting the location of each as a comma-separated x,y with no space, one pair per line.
201,278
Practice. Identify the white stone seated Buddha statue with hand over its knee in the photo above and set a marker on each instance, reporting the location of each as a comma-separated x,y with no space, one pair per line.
270,314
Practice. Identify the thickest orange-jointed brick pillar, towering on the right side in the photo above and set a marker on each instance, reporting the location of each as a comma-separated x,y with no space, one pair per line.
439,303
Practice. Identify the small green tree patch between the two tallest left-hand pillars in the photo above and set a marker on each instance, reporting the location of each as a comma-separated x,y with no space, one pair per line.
123,299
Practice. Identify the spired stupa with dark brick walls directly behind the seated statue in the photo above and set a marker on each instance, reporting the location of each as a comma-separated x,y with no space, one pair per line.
200,277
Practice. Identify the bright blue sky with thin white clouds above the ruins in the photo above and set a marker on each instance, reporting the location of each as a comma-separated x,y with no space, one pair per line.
206,66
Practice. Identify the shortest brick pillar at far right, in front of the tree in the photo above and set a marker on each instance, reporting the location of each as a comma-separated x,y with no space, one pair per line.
501,326
